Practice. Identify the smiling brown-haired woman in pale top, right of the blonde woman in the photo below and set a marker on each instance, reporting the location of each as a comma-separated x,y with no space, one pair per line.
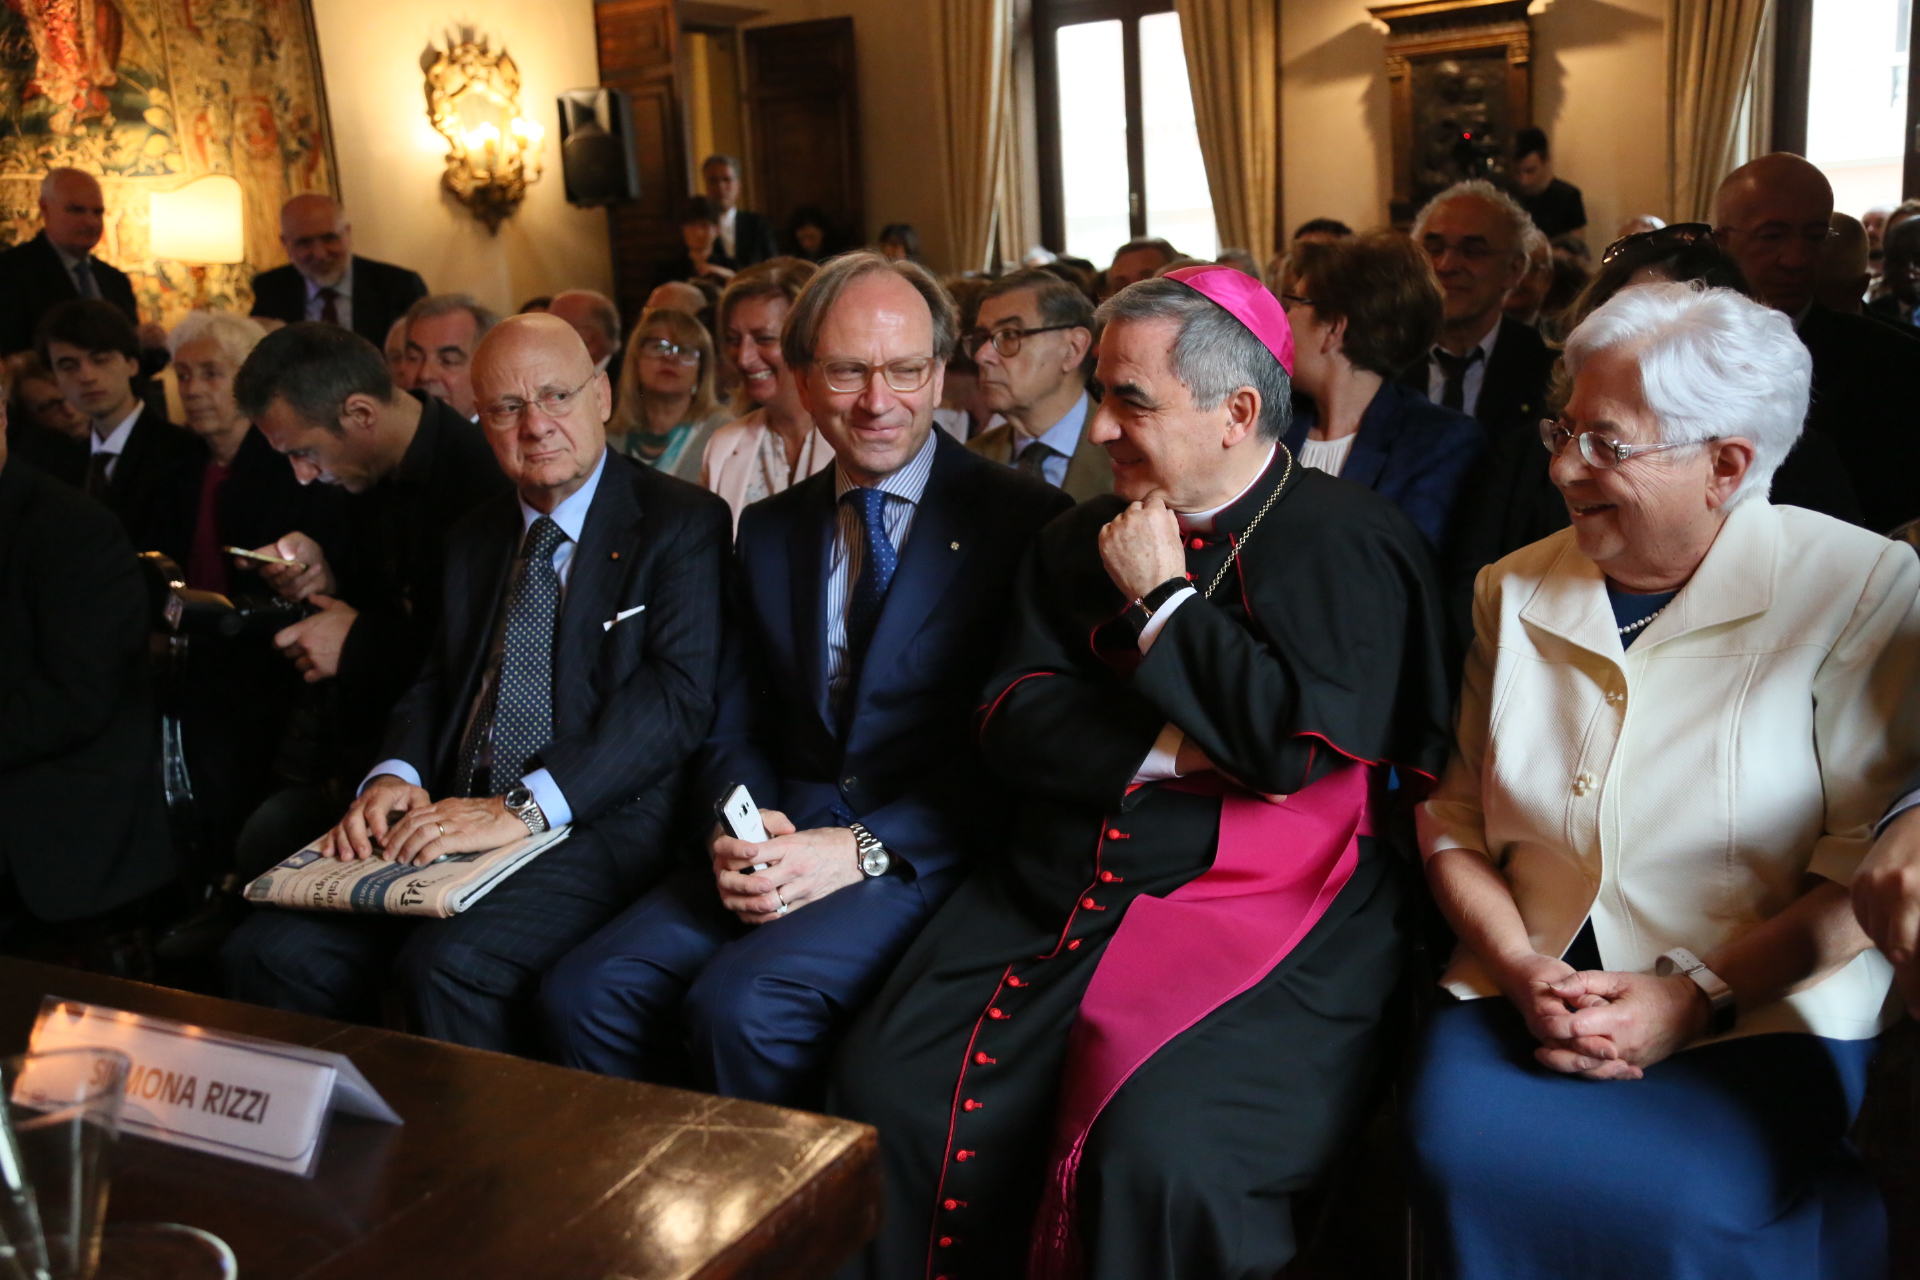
773,446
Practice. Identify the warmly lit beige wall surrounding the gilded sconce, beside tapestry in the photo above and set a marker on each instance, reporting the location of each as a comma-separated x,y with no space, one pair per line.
391,158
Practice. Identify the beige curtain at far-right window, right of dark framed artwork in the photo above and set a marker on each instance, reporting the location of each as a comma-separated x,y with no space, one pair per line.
1712,55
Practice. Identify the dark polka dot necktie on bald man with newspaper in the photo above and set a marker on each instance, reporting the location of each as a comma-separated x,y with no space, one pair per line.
523,701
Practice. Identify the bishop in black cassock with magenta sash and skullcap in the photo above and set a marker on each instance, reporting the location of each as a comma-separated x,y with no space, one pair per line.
1126,1045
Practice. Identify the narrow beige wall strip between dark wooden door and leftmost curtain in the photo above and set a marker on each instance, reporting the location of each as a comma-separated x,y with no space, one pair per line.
905,172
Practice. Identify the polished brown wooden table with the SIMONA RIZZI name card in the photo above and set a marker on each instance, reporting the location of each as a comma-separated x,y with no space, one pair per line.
504,1168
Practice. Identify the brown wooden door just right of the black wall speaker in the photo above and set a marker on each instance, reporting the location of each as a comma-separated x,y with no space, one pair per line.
638,43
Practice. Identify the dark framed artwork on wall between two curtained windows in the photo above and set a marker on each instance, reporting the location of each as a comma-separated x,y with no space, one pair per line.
1460,78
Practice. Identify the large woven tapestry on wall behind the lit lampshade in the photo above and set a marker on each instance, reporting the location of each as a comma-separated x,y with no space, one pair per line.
149,95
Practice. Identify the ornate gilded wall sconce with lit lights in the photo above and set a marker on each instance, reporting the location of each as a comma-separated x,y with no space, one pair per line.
473,101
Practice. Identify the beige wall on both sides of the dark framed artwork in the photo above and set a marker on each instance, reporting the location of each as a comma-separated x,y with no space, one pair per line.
1600,91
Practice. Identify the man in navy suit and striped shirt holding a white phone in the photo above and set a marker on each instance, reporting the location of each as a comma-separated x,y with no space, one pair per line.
869,613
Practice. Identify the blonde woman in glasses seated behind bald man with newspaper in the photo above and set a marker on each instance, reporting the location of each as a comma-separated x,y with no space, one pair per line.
667,408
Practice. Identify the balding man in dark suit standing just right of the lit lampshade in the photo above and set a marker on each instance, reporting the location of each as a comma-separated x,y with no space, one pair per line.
327,281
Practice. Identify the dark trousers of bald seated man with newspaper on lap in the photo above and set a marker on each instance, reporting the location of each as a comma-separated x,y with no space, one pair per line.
469,980
